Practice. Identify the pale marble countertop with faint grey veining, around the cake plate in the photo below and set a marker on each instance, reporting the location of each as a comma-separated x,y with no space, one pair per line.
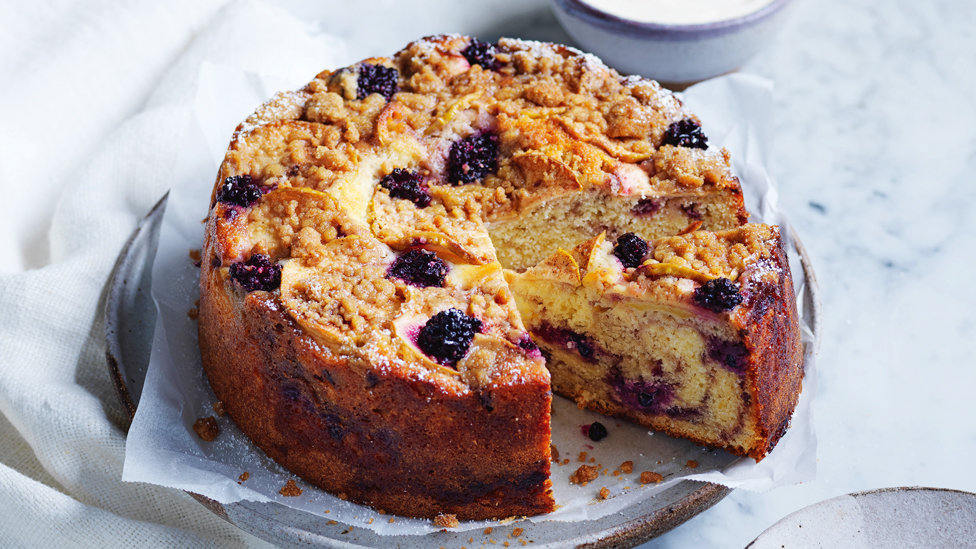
875,158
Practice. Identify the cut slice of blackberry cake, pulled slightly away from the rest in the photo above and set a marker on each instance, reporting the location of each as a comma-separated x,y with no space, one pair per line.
693,335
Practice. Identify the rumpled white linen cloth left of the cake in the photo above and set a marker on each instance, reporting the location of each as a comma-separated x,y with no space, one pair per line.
94,97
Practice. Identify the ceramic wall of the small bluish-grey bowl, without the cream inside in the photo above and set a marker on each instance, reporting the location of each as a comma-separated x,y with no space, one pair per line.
671,53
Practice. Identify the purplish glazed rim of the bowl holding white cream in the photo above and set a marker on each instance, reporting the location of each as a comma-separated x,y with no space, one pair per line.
665,32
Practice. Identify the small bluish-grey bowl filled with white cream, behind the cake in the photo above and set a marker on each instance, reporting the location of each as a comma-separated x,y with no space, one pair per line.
678,42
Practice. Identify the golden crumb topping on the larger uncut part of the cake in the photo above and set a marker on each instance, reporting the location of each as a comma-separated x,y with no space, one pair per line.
513,123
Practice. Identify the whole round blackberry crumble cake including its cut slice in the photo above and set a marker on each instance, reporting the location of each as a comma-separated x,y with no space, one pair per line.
356,314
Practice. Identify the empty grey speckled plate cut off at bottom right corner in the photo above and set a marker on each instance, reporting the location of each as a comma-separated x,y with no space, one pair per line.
889,517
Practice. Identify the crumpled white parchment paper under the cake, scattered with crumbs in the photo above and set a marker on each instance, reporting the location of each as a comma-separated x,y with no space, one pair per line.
163,449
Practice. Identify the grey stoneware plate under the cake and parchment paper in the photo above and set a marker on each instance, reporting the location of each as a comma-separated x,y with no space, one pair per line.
130,318
